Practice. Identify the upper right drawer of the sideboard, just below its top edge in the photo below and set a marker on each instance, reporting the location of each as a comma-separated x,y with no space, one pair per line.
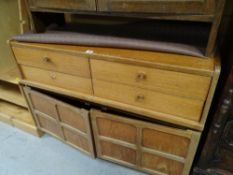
169,82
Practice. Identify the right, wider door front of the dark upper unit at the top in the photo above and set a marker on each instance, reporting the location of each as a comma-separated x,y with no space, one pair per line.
158,6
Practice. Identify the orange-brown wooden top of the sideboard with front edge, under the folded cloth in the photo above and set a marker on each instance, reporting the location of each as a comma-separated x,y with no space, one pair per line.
167,61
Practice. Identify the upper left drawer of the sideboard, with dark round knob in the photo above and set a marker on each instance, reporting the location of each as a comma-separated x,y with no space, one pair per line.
54,60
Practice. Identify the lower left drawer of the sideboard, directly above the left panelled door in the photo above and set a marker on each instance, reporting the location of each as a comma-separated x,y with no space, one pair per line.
61,80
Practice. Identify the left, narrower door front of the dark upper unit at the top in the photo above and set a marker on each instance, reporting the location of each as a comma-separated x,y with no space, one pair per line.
86,5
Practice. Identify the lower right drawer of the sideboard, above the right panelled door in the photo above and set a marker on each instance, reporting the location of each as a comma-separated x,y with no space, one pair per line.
190,109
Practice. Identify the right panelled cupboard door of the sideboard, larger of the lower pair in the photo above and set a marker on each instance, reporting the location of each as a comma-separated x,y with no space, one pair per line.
152,148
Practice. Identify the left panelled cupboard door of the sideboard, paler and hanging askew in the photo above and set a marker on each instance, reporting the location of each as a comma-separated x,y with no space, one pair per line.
68,123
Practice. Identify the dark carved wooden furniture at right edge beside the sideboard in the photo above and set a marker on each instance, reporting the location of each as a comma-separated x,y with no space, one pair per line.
217,154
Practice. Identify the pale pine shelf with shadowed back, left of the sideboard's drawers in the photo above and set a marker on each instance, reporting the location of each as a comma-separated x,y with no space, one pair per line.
11,93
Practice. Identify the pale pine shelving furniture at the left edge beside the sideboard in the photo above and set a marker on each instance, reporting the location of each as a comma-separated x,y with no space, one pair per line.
13,107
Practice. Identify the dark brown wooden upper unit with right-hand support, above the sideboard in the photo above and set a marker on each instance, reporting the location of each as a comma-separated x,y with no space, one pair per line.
208,11
